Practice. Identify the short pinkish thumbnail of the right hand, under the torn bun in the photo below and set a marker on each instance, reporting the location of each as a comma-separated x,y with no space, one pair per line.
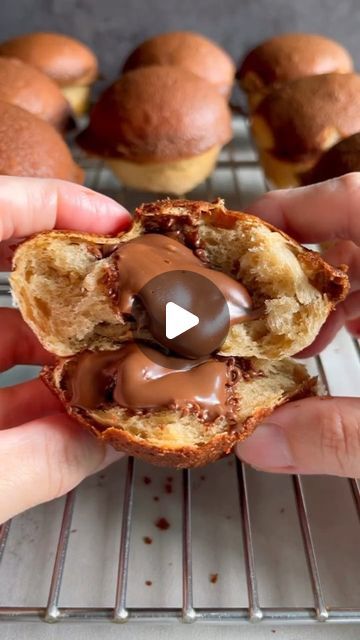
266,448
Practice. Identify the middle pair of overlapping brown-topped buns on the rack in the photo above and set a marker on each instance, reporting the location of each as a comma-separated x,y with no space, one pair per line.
161,125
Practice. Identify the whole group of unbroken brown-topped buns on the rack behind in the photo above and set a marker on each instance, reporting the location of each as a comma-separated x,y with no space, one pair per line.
161,125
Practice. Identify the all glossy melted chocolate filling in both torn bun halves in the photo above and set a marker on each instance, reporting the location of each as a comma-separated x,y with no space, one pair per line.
148,272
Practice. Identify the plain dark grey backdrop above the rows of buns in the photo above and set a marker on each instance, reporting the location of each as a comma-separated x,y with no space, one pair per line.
112,27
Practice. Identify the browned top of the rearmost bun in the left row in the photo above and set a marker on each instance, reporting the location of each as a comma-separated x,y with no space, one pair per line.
64,59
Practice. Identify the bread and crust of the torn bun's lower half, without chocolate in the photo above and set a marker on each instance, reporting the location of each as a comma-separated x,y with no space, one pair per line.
166,437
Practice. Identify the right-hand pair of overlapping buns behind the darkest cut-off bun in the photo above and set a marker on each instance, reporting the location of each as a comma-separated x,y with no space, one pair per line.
303,98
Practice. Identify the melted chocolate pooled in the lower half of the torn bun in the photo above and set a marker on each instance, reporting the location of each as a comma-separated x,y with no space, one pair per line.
131,378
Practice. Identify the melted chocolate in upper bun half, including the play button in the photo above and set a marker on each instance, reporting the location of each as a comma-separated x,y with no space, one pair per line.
157,269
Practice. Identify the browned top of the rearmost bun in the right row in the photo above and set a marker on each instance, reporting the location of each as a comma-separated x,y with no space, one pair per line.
288,57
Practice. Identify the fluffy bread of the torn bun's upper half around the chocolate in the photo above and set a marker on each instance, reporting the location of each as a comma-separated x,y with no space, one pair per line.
62,282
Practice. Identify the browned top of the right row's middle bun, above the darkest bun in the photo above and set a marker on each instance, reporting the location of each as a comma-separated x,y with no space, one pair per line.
311,114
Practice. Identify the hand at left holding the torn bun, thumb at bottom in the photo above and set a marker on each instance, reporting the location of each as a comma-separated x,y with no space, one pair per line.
43,454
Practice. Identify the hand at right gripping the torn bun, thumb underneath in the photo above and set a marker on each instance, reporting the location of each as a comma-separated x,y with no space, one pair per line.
316,435
